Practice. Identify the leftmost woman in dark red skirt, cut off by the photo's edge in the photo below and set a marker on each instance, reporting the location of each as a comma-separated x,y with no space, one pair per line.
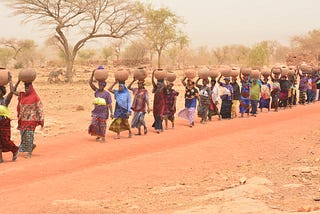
6,144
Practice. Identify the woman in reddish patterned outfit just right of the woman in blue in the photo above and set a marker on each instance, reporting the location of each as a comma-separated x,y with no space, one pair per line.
140,106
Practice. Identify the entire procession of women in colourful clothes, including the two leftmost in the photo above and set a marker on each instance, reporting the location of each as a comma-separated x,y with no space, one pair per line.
224,97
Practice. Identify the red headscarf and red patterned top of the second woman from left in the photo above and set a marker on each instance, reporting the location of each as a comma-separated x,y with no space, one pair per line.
30,112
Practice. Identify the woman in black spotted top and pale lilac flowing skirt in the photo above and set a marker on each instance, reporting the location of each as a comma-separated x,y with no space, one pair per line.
191,97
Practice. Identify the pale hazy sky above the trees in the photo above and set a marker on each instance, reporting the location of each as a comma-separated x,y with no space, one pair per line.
215,23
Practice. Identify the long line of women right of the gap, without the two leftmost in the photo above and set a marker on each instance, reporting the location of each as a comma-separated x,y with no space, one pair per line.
224,97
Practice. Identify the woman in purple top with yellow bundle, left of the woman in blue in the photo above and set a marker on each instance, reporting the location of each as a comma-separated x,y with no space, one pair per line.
100,113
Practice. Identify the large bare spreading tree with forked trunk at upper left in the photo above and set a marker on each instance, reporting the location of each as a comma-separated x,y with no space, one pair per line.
81,21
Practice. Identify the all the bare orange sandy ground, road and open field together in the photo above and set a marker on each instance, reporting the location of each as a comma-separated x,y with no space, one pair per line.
185,170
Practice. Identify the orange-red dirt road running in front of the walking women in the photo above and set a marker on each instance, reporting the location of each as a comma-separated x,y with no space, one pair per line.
74,174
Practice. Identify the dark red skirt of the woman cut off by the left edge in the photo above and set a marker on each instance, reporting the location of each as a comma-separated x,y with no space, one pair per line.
6,144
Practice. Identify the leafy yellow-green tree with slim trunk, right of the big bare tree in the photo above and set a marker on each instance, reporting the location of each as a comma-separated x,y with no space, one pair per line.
162,30
